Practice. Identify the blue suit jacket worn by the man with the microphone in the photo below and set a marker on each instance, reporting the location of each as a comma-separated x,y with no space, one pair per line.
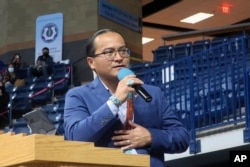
87,117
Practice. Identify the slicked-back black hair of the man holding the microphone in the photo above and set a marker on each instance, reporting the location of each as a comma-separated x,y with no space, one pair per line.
90,46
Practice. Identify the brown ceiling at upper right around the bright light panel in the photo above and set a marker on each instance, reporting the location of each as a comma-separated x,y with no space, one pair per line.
162,17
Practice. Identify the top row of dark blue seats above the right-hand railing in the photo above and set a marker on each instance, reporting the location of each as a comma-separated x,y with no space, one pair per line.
166,53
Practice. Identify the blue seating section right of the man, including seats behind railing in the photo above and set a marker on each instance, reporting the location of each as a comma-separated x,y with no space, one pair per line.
207,88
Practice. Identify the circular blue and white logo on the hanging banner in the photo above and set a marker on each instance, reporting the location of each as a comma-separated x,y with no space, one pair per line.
49,32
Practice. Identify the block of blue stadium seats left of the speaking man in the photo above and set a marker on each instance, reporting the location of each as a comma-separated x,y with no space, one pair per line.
45,92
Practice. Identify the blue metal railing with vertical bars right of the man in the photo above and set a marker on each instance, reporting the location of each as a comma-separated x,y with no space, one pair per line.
207,90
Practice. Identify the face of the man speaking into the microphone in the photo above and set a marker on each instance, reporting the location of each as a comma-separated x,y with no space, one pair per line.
108,68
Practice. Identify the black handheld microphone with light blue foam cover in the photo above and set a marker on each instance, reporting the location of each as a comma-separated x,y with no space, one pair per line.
138,88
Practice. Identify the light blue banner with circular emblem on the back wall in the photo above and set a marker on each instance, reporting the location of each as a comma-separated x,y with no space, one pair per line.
49,33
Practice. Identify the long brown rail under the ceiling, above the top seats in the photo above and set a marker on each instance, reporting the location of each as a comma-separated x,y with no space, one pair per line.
207,32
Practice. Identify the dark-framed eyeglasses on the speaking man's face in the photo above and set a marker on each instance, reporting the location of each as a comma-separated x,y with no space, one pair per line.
110,53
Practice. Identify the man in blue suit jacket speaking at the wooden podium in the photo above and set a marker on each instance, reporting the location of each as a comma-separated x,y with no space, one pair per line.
97,111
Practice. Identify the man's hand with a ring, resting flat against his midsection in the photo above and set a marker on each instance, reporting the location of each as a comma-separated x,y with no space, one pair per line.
135,138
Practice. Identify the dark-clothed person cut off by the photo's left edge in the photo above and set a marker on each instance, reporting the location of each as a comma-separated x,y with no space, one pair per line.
4,100
